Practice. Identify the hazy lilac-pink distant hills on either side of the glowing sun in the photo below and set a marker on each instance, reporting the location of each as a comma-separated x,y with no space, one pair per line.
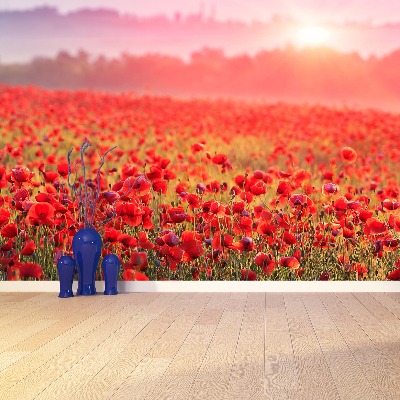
44,32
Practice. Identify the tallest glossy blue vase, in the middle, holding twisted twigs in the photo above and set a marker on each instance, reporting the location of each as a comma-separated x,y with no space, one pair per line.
86,246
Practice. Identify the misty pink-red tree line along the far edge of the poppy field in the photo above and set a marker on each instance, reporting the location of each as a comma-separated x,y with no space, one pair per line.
312,75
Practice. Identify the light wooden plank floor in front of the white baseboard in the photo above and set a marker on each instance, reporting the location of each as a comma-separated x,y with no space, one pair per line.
200,346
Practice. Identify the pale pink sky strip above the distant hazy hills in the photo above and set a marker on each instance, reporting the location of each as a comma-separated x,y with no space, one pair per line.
309,11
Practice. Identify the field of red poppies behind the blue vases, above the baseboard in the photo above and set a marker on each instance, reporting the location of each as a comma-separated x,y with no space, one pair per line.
198,189
